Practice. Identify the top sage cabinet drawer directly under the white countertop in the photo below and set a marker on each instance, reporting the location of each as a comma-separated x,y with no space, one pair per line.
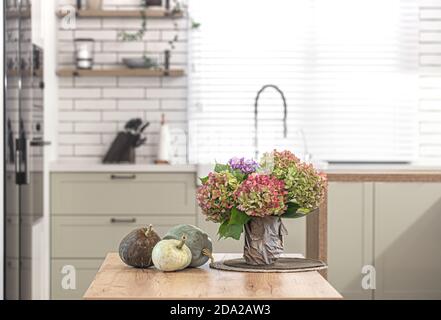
123,193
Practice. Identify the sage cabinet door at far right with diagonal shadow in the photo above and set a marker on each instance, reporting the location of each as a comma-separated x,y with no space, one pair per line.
407,240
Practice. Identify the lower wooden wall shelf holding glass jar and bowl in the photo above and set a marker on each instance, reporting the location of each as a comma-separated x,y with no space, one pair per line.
119,72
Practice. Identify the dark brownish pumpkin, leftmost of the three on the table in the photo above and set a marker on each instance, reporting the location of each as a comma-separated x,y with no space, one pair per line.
136,248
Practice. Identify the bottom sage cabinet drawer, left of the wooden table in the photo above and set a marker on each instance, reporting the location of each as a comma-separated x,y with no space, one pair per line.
85,271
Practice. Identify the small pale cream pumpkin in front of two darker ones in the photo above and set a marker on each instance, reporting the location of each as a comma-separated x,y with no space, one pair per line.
171,255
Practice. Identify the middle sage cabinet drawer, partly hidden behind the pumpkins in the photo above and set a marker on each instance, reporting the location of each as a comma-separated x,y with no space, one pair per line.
94,237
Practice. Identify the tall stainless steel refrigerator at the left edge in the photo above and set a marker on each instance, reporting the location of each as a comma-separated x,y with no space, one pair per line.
24,148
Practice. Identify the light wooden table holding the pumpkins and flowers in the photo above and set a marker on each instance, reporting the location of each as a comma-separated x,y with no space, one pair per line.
115,280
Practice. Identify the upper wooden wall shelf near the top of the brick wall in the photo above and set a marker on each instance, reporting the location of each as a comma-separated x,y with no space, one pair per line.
149,13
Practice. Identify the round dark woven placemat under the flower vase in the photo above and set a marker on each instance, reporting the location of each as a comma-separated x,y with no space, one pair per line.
281,265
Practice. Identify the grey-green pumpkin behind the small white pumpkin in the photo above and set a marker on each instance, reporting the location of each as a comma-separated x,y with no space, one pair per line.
197,241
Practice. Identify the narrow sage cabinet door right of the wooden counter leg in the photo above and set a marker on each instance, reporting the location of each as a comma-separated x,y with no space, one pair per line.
350,236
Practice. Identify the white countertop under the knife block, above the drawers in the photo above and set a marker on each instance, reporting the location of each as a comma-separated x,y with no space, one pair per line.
99,167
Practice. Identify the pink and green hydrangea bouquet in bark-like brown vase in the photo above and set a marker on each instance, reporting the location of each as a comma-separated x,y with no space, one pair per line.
244,195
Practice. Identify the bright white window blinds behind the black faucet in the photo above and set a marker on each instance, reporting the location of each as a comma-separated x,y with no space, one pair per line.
348,69
